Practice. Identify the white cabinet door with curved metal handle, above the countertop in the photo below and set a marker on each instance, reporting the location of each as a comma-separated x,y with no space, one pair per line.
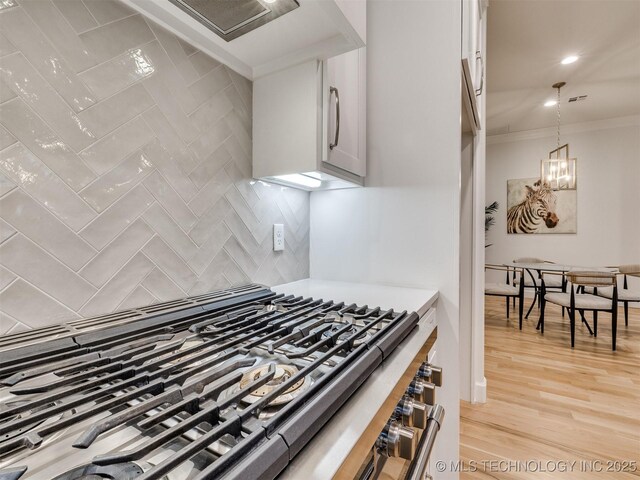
345,90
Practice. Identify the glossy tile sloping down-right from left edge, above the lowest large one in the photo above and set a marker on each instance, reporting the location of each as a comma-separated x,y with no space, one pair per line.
31,263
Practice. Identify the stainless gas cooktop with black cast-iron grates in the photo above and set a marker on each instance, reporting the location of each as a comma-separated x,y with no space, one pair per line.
229,385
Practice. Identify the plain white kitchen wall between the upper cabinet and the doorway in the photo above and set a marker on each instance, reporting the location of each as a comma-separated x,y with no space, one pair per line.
403,228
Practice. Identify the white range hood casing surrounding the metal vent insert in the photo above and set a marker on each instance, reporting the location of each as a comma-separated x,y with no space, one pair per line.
314,29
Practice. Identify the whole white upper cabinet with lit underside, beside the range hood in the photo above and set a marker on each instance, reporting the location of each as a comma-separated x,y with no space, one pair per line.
309,124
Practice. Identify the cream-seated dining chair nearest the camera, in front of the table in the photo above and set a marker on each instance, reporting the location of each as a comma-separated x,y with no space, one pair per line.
574,301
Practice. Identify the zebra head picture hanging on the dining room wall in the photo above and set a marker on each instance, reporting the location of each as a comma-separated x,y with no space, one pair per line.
532,207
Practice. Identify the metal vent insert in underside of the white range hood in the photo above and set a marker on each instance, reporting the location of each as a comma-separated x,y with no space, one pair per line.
230,19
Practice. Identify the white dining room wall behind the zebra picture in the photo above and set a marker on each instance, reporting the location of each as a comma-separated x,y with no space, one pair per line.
608,193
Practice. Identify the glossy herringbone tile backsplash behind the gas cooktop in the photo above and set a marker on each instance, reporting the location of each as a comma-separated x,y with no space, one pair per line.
125,169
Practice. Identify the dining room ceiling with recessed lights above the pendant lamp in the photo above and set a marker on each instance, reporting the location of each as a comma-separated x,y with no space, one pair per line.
527,39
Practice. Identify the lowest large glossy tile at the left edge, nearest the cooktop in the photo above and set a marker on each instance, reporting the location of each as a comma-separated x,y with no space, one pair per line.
33,307
